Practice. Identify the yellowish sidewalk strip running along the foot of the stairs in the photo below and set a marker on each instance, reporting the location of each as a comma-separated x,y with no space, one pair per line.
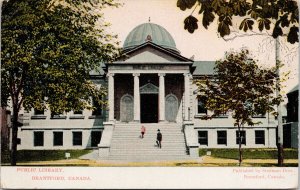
205,161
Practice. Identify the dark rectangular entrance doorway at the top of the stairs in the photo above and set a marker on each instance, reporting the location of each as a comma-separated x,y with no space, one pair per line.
149,108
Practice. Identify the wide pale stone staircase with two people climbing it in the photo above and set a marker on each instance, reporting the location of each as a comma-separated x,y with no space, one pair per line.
128,145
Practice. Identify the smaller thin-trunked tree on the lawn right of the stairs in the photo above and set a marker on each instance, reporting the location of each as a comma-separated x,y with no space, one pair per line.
239,86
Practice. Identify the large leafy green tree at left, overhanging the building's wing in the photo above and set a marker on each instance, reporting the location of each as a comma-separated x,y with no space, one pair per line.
49,47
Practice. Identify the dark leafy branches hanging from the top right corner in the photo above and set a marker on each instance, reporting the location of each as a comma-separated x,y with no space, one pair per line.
279,16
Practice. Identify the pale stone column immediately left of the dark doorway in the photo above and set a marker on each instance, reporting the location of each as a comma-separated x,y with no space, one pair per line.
136,109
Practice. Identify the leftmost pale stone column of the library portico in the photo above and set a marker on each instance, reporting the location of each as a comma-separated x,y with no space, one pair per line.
111,97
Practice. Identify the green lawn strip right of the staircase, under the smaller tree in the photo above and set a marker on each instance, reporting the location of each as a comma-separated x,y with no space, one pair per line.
250,153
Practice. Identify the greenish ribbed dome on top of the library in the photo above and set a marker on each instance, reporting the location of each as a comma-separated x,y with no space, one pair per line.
149,32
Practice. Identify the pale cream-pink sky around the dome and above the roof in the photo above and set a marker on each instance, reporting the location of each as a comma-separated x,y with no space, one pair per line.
203,44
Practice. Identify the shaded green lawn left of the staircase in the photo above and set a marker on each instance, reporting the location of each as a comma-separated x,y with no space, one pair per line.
42,155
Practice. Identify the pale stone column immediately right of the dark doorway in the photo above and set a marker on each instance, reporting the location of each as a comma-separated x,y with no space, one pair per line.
161,96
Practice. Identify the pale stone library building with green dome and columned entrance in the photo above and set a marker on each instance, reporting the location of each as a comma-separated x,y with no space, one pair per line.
153,86
